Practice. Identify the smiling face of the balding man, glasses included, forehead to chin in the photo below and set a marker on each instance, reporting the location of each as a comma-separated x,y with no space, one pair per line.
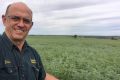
18,22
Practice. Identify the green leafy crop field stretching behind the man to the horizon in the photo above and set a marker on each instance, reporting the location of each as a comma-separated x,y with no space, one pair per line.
79,59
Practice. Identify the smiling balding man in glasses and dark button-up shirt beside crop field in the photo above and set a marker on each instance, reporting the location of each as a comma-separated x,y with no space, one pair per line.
19,61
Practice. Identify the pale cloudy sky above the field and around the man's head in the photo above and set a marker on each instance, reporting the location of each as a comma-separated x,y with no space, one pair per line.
71,17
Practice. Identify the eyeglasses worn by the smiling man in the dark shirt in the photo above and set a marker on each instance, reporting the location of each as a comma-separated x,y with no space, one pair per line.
17,19
